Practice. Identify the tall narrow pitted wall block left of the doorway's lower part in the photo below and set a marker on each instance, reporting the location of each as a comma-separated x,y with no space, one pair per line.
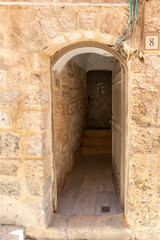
34,177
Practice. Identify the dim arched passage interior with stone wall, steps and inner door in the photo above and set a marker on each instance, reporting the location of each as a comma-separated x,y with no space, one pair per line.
87,133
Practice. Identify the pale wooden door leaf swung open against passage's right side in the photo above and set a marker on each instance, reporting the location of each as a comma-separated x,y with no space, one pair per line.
118,113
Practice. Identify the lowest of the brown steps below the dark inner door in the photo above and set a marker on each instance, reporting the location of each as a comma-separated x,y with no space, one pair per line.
95,151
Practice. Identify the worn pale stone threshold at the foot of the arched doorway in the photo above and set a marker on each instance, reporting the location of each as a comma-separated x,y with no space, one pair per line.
91,227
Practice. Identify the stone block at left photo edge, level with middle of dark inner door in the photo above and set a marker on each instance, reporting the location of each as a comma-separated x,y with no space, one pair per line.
10,98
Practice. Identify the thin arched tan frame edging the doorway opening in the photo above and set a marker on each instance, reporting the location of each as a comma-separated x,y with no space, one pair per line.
124,135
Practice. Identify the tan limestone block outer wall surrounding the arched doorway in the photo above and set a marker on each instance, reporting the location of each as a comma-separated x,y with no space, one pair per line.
29,36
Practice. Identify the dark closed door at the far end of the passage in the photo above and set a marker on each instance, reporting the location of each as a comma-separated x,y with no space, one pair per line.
99,111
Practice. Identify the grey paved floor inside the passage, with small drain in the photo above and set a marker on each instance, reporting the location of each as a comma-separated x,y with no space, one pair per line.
90,189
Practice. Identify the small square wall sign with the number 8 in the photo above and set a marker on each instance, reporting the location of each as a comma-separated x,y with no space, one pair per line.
151,42
